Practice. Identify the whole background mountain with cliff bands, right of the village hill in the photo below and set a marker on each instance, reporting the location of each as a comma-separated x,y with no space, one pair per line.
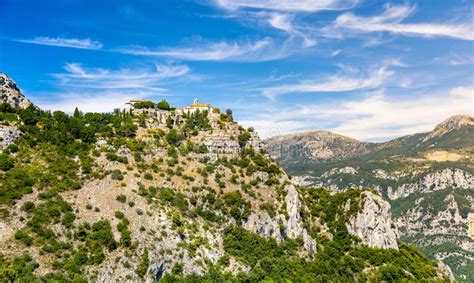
427,178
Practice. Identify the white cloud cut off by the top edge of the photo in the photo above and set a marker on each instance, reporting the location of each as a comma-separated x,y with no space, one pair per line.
287,5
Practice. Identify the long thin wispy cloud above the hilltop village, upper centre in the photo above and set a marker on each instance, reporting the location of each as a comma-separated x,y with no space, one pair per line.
260,50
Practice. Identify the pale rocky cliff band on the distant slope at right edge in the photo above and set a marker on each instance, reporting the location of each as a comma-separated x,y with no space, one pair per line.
447,178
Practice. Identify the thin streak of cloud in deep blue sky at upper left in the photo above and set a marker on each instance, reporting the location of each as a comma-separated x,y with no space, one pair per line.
64,42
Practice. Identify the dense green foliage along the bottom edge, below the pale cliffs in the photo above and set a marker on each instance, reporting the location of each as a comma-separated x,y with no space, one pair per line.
273,262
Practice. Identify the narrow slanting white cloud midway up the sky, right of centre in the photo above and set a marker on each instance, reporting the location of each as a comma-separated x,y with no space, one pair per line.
335,83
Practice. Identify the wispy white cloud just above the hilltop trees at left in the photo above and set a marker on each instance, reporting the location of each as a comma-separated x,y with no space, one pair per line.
102,90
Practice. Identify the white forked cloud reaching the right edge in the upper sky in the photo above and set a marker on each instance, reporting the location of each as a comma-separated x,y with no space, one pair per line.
390,21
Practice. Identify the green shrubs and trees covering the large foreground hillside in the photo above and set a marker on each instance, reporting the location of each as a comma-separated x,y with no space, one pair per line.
58,153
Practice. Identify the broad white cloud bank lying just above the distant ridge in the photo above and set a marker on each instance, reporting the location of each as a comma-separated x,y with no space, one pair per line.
376,117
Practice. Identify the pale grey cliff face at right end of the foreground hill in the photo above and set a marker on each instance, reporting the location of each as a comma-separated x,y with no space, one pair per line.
373,224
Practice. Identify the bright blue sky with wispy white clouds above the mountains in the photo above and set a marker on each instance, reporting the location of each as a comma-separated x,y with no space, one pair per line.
371,70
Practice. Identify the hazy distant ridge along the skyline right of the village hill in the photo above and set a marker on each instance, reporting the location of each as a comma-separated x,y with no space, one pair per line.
324,146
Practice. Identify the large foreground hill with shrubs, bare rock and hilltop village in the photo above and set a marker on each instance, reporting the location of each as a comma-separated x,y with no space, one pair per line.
179,194
